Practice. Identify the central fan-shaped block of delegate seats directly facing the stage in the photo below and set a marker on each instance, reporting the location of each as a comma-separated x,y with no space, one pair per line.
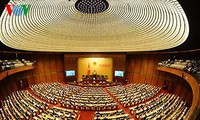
90,98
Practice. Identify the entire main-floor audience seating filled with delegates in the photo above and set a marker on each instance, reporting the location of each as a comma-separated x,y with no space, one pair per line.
68,101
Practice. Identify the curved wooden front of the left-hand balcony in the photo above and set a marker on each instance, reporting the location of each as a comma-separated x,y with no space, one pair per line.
14,70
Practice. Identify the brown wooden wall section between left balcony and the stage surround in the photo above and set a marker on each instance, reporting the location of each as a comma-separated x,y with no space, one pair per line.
48,68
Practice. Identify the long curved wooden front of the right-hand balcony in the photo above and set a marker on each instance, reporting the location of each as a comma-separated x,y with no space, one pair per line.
195,107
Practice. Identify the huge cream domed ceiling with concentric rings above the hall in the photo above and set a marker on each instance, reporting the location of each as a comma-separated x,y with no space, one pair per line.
93,25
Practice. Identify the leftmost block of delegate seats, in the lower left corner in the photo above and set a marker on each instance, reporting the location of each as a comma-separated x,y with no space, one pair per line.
21,105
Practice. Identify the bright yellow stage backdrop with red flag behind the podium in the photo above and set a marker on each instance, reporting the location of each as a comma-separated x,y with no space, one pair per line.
102,66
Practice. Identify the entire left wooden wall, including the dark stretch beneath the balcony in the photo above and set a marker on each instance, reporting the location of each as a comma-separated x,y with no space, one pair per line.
49,68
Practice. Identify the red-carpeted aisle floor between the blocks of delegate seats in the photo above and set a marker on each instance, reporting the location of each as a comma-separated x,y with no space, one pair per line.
88,115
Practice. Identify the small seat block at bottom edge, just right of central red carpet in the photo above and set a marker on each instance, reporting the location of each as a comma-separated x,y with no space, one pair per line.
111,115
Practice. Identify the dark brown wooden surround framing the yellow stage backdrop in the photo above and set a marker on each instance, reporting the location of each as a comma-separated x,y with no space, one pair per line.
71,62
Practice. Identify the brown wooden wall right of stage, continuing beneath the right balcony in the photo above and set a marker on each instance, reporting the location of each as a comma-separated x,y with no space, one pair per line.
141,68
